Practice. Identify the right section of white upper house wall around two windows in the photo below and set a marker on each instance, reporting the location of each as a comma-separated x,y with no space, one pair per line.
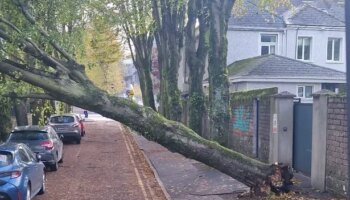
318,45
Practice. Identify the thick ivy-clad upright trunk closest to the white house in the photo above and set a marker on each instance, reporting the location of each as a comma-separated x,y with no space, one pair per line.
219,98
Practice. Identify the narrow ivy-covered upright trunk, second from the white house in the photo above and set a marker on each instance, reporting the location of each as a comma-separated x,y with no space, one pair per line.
196,57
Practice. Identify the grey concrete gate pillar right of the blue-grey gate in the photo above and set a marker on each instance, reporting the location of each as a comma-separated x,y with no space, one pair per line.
319,139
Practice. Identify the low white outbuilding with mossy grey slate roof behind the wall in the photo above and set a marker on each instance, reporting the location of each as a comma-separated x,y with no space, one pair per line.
297,77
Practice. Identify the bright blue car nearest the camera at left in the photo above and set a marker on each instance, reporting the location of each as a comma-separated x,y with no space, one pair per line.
22,174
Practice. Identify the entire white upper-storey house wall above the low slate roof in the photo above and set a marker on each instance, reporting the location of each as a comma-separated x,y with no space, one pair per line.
244,44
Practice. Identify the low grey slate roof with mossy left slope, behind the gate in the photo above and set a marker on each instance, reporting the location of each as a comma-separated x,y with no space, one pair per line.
273,66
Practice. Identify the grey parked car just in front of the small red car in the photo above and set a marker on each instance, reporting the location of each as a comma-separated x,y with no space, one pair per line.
67,125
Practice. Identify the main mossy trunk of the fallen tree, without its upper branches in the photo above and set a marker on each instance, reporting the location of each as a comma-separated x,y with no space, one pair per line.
172,135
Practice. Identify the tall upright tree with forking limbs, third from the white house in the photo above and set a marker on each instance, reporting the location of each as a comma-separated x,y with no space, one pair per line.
169,16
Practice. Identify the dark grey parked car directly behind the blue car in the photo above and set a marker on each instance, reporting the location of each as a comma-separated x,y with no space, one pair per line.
42,140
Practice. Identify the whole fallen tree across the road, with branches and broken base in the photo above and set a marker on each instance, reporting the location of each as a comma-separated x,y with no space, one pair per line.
65,80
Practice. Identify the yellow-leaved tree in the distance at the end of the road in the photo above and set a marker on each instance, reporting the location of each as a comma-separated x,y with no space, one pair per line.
102,54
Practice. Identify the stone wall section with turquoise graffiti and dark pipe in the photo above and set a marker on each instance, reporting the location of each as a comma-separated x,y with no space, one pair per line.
250,123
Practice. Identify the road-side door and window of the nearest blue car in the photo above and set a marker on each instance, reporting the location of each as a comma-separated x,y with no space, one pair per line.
30,169
